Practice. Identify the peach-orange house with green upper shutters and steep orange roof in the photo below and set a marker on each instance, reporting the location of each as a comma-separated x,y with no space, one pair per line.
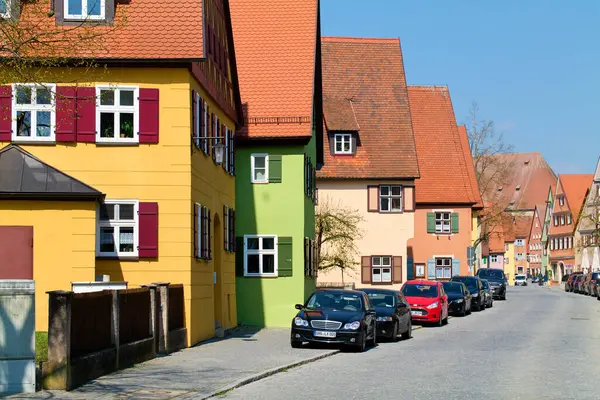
446,193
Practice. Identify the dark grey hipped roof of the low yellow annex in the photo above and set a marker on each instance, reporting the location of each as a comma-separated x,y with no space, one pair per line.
22,175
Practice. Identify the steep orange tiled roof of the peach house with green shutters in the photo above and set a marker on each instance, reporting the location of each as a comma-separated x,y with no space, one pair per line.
444,176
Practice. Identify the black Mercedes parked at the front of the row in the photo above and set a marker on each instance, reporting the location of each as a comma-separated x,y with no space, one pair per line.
344,317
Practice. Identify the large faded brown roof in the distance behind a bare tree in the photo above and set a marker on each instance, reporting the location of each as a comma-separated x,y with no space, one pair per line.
525,184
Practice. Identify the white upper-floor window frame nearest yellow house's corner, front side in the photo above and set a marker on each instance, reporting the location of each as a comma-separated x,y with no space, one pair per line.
117,110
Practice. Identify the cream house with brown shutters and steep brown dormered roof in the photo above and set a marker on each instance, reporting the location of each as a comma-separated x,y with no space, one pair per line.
369,153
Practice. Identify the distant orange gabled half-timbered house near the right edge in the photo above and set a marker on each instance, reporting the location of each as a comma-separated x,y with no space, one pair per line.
570,194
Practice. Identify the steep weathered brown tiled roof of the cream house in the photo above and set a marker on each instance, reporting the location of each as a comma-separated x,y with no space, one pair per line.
371,73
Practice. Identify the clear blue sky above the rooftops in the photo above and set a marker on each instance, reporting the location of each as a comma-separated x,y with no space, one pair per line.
532,66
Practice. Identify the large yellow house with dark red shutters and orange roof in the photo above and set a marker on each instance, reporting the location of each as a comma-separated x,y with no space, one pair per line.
128,170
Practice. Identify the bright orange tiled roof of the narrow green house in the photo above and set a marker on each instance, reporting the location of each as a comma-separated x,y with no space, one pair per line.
275,44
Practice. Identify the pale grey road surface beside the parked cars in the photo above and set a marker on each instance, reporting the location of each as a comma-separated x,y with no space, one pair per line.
541,343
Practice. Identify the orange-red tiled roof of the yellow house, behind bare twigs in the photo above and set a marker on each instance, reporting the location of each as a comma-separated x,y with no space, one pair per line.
143,29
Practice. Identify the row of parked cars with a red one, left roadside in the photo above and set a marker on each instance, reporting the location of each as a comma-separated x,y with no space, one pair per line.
359,318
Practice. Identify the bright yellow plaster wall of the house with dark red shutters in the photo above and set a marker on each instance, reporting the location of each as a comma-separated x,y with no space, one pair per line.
162,173
